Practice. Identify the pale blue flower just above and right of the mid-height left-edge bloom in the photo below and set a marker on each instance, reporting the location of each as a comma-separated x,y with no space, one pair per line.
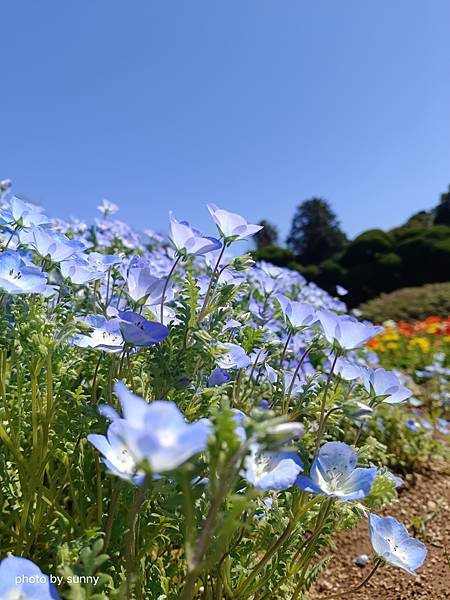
50,243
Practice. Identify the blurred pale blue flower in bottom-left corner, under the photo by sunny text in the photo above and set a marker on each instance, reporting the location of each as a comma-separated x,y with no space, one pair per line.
21,579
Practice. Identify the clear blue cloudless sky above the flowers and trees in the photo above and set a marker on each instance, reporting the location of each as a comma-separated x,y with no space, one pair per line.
252,105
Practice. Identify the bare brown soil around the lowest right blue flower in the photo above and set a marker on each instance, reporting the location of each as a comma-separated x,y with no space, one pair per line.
424,507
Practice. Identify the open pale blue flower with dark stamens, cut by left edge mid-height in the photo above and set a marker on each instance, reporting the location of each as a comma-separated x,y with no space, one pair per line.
16,277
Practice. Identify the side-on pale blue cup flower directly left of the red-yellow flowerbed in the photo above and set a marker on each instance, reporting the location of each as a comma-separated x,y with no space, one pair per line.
346,331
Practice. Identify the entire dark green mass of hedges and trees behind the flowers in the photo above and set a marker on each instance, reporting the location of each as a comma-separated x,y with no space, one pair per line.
376,261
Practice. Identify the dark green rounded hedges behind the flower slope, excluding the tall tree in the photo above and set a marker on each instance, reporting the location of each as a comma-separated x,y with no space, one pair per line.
377,262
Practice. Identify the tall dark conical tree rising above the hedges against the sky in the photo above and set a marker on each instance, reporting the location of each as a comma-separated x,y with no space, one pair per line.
315,232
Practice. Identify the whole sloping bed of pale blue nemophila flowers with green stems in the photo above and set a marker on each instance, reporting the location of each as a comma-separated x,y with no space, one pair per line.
178,422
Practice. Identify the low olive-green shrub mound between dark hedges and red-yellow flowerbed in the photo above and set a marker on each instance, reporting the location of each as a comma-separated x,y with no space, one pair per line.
410,303
